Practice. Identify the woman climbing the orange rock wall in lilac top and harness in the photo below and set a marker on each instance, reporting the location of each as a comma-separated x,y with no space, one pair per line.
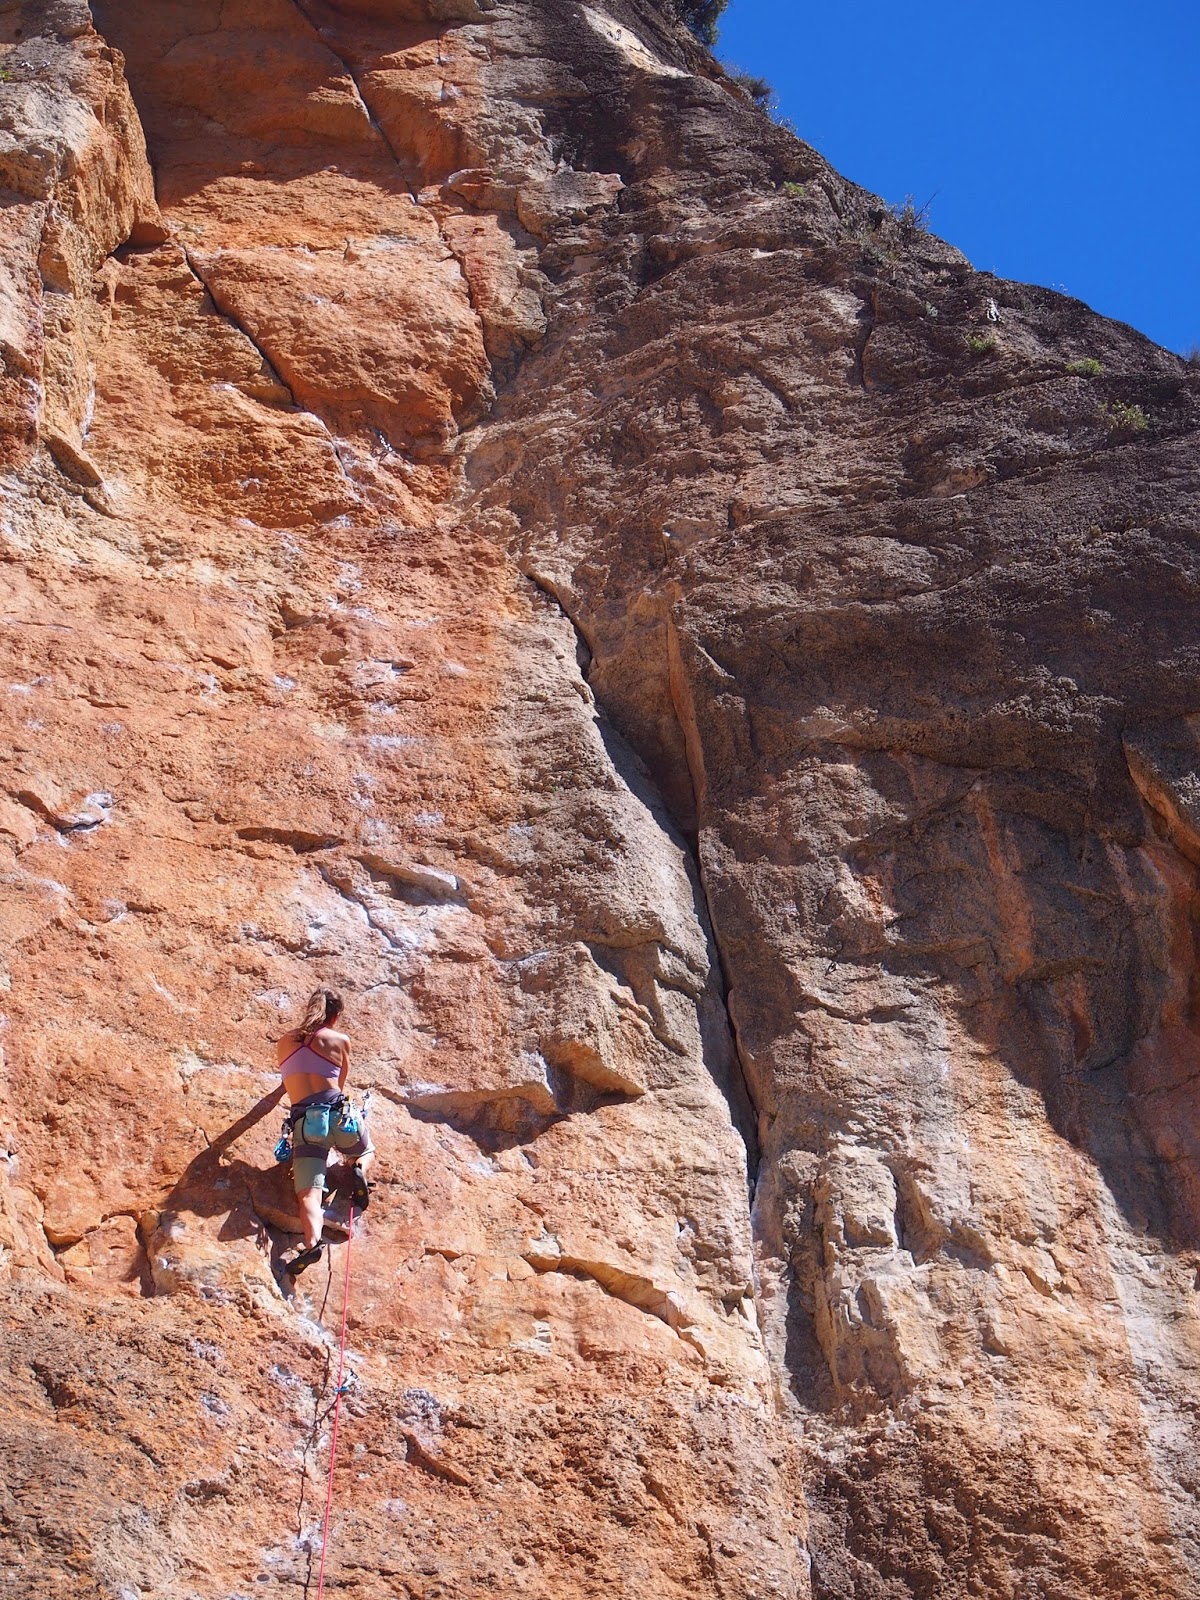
314,1063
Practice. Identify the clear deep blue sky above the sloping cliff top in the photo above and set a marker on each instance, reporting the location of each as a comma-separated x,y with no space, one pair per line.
1060,140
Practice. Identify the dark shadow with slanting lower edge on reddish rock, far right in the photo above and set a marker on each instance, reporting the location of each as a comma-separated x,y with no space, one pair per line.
1094,1002
